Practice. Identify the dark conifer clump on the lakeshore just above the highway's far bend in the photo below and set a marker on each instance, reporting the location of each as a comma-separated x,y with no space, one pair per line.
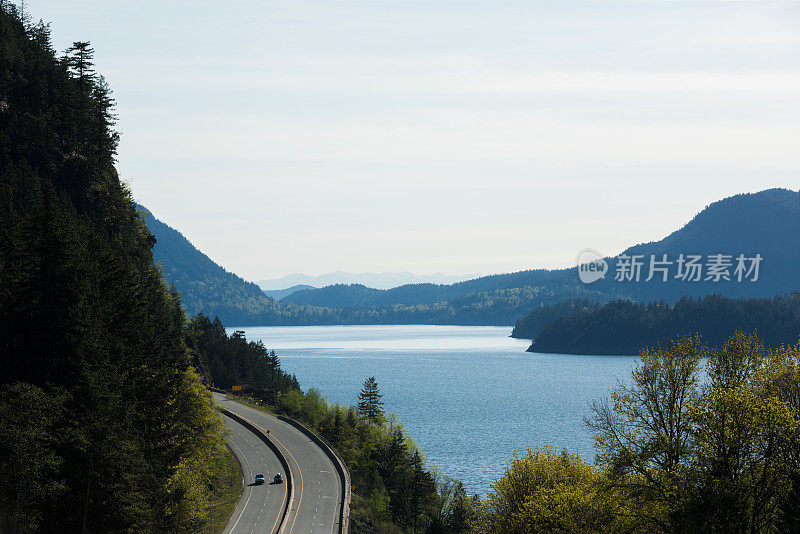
226,360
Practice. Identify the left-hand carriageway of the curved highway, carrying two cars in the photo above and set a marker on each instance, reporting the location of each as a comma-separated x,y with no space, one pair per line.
260,507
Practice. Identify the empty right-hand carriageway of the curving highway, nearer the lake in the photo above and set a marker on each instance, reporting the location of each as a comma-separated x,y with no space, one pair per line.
317,487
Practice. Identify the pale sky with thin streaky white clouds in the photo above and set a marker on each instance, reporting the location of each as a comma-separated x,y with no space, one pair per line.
440,136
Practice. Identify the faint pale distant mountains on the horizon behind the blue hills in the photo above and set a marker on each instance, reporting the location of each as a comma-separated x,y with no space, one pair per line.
373,280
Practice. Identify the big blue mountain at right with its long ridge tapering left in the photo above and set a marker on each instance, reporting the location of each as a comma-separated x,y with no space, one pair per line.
765,223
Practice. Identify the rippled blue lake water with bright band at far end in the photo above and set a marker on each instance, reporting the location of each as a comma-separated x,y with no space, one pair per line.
469,396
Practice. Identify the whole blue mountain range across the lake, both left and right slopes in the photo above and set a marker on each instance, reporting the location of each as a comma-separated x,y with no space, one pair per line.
766,224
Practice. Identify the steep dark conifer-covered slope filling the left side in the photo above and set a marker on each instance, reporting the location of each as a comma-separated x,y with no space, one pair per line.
105,426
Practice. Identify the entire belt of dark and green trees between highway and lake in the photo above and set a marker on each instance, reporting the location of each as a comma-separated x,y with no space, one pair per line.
394,489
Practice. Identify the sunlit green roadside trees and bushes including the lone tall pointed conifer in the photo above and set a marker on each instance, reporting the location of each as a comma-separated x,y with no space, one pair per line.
394,491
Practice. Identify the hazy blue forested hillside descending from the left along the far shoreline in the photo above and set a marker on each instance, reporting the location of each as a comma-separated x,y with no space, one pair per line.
208,288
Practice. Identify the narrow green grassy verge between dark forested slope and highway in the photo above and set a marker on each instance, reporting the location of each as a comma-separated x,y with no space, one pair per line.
225,492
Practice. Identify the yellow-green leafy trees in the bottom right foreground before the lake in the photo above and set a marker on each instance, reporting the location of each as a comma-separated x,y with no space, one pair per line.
682,447
